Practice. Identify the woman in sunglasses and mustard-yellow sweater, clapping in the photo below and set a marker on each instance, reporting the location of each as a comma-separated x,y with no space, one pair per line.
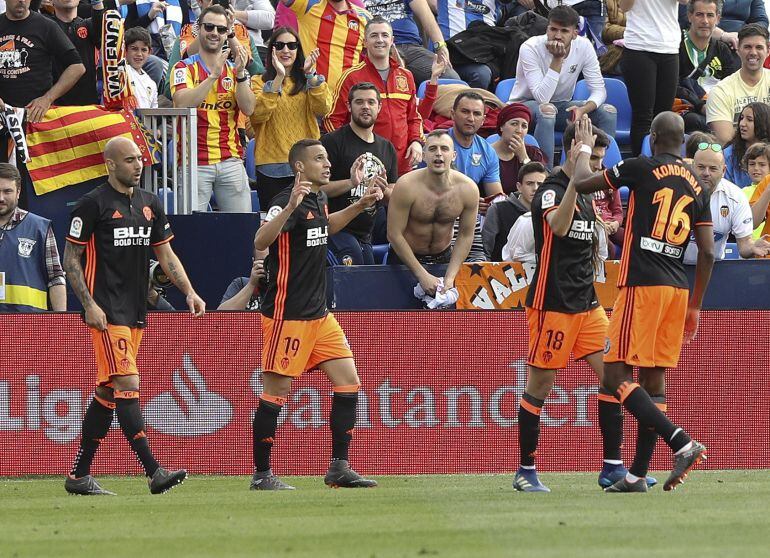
291,97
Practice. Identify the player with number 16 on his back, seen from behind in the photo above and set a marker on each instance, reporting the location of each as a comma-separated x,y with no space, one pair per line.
652,312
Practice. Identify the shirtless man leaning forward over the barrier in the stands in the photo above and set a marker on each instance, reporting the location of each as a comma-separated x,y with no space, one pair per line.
423,208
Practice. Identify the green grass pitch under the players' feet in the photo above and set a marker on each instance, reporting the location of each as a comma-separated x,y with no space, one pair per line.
716,513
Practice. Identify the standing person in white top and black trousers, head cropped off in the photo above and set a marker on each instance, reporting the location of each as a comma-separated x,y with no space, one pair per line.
650,61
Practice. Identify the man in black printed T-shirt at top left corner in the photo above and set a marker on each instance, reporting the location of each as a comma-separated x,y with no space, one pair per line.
26,76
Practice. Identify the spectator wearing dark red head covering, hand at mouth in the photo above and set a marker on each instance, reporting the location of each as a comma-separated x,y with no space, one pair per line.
513,153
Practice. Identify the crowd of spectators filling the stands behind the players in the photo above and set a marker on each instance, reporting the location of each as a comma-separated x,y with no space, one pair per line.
371,77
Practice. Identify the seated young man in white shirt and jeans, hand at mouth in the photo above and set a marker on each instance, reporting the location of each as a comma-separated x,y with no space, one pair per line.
546,74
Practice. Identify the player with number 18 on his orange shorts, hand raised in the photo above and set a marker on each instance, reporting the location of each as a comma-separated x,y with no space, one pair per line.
563,312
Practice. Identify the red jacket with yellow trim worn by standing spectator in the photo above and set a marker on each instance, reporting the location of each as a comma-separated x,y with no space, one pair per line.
398,121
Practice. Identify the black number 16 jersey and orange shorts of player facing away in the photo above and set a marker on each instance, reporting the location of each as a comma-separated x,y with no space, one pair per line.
666,201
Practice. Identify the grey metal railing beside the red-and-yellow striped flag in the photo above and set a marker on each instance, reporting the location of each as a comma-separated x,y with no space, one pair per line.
175,179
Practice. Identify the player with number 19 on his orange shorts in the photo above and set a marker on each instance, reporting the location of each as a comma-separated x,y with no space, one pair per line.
299,333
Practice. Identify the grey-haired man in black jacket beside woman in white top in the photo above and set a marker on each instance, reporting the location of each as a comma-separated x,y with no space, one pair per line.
703,62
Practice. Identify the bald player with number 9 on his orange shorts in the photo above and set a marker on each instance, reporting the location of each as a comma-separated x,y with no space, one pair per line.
117,225
